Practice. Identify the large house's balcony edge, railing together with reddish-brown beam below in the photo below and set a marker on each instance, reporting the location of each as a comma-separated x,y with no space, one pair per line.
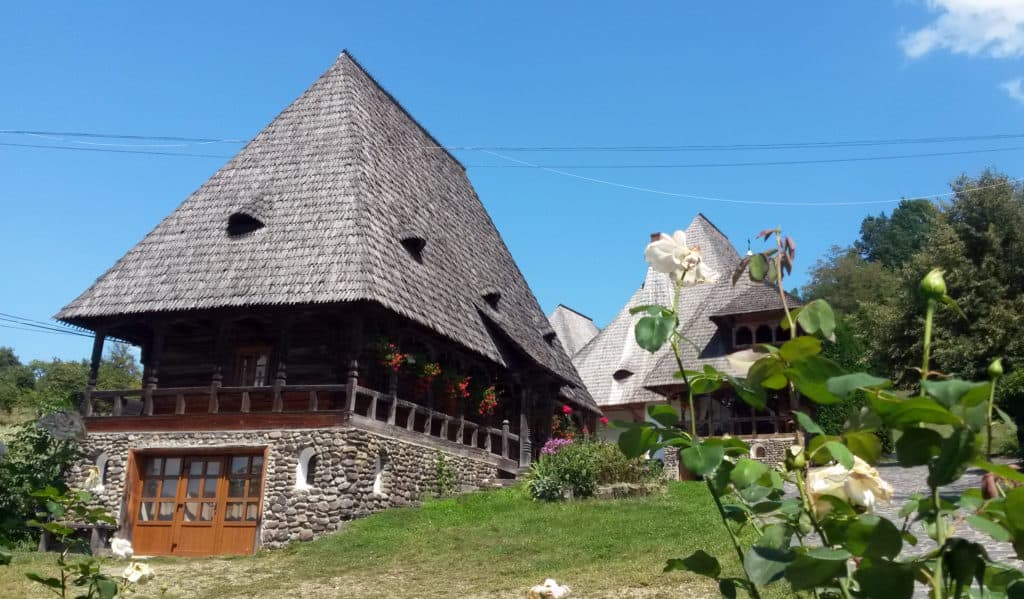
216,408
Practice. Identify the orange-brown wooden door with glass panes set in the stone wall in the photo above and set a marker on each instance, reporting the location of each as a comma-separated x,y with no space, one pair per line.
198,505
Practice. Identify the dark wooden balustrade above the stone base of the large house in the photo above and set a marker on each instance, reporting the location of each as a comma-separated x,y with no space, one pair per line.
386,409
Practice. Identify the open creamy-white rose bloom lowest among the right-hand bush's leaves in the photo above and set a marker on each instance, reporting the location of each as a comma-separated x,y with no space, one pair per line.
860,487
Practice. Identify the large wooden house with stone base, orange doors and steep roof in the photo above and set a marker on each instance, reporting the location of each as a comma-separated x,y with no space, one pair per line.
323,323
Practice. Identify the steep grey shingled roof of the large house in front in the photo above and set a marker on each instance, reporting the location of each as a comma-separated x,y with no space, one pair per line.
338,180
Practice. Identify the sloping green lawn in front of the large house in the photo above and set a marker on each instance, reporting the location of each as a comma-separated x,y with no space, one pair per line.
492,544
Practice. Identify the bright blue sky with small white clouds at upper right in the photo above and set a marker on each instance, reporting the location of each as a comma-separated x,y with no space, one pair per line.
524,74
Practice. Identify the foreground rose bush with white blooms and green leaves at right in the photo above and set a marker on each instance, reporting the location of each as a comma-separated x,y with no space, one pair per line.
825,539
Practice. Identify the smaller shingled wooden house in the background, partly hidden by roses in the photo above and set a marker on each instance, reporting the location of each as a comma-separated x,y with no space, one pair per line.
719,319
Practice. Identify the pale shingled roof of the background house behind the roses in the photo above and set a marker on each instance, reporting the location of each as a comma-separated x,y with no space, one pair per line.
617,371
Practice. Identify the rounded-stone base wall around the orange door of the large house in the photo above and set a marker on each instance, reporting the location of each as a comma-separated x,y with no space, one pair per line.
345,478
